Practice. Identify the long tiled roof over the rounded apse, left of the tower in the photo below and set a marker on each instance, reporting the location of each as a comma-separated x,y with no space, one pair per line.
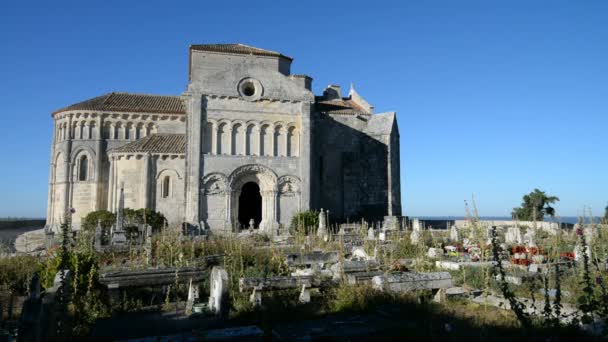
128,102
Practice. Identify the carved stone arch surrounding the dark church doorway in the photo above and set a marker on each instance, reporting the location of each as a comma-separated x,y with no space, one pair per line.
266,179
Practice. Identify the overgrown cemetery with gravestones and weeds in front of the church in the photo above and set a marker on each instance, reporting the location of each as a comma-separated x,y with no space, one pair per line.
249,285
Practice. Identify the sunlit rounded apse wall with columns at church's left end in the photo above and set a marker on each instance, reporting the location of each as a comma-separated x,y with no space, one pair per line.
91,134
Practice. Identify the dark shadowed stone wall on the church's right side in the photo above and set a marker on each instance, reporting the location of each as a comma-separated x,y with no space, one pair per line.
351,167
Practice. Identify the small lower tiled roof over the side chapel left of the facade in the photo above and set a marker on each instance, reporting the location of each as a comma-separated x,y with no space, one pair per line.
156,143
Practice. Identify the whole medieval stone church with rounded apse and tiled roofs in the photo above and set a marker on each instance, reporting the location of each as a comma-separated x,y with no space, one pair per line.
246,140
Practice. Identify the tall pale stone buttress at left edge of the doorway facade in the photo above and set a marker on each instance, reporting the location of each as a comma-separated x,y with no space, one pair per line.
194,165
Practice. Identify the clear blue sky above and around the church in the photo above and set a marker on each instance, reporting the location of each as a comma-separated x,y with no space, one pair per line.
494,98
